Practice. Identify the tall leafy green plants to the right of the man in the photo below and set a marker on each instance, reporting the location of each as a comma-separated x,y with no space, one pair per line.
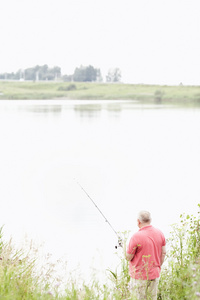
180,277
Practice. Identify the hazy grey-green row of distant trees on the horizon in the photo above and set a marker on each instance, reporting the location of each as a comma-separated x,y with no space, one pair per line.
81,74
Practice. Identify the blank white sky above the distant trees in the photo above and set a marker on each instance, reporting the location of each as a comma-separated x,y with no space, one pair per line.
151,41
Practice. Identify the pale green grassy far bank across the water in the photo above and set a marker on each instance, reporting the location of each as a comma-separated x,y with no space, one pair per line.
60,90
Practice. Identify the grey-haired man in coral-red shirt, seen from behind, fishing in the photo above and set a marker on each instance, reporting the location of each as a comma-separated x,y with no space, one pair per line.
146,253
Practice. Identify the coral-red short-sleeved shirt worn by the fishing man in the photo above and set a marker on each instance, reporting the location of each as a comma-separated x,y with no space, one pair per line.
146,245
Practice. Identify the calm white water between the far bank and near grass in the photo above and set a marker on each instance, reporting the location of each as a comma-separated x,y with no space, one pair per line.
128,157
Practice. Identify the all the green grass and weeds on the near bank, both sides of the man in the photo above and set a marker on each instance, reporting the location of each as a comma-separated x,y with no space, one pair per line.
180,277
